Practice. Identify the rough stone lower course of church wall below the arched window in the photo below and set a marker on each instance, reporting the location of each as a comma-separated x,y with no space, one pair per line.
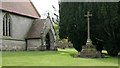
13,45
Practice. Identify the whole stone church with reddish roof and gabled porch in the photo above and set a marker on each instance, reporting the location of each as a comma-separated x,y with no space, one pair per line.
22,29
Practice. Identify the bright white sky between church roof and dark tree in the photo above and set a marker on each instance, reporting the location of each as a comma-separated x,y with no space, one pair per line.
45,6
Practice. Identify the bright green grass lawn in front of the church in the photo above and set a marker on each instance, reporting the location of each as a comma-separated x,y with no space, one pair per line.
53,58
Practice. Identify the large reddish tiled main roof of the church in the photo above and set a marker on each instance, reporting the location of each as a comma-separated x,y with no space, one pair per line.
23,8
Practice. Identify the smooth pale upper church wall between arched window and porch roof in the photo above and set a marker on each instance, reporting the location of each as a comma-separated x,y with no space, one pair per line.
20,25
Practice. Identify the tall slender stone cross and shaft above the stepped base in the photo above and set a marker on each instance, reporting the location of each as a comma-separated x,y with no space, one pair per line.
89,41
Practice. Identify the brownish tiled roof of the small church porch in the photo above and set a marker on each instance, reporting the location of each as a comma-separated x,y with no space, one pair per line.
39,26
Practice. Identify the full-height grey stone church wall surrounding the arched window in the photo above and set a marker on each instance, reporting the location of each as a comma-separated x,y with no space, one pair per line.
20,25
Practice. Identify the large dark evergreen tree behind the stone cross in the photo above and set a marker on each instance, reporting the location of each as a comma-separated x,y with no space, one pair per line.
105,27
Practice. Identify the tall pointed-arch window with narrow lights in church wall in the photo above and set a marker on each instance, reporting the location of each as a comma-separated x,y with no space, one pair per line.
6,25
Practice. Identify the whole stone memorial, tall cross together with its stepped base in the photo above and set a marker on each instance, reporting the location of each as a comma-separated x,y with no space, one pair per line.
89,50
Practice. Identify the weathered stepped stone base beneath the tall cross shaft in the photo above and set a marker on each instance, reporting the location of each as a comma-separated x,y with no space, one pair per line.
89,51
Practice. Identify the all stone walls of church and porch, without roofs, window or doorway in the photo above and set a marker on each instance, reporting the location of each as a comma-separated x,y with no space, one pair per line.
20,27
